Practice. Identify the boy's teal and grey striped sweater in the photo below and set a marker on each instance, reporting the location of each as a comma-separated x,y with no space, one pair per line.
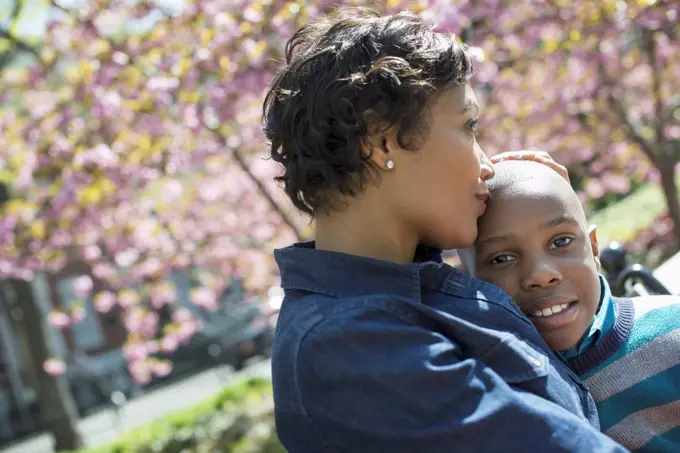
633,373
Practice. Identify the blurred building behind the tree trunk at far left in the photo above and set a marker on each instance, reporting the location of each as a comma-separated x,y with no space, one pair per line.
91,348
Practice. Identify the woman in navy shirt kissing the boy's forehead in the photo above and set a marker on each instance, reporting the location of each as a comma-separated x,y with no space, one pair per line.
380,347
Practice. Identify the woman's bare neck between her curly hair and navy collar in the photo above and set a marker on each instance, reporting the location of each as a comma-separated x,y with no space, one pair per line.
365,232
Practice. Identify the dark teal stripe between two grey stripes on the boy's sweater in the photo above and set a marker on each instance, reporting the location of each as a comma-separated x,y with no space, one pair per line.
655,391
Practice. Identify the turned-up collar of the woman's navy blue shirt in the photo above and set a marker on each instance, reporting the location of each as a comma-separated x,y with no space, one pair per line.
303,267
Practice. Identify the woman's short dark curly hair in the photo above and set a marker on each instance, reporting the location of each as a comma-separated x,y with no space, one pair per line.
345,75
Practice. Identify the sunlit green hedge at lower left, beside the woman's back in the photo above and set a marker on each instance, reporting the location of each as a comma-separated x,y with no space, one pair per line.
238,420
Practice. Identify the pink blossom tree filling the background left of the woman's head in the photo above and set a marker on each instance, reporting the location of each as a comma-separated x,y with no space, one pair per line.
132,143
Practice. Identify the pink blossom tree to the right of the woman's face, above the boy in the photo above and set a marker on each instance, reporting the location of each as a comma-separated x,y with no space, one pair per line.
595,83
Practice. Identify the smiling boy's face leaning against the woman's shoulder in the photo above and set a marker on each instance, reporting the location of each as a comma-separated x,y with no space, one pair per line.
533,243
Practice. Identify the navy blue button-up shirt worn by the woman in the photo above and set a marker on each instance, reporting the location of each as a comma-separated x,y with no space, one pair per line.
378,357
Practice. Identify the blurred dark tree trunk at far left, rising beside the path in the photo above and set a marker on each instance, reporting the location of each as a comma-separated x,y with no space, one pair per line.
57,407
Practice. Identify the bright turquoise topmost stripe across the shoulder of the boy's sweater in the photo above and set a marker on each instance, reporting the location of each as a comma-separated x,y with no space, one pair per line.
654,324
